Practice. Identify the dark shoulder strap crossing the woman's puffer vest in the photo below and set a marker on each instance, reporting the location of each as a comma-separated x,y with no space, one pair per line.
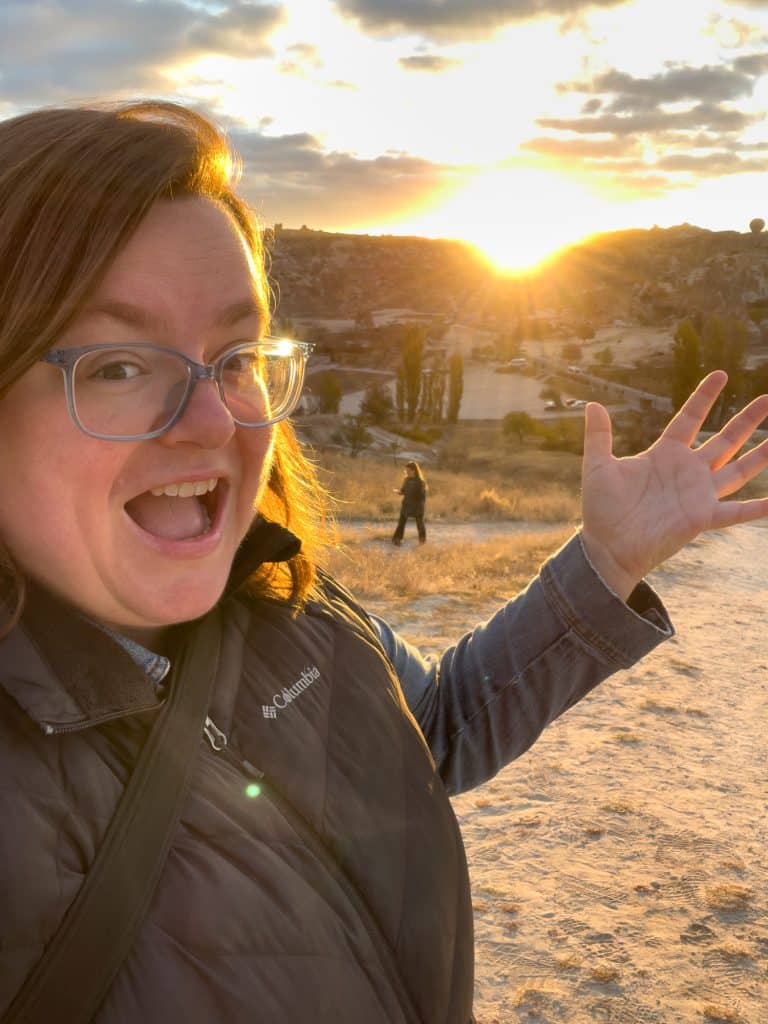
82,959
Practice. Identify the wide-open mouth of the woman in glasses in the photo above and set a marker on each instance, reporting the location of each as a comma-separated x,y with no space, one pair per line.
180,511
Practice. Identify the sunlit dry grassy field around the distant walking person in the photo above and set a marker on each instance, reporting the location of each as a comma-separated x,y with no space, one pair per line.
433,590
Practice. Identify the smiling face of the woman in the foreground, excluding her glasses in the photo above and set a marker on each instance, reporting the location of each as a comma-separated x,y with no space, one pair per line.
184,281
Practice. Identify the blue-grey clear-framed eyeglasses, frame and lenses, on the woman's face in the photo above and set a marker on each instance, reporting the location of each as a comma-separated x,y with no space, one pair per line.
138,392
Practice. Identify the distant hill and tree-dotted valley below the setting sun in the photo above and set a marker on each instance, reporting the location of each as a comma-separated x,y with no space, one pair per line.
632,320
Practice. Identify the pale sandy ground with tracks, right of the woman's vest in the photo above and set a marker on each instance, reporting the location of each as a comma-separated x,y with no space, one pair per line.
619,869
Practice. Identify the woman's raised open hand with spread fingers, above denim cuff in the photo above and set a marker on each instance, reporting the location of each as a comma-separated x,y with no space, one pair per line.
641,510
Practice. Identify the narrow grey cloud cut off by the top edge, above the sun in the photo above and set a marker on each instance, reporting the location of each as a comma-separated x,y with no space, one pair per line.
457,19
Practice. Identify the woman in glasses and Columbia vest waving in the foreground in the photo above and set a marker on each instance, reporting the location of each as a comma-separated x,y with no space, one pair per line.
152,487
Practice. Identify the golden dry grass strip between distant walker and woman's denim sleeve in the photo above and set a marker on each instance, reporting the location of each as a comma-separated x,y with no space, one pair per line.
492,569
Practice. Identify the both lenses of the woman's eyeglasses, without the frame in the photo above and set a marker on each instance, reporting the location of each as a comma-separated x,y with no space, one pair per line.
133,392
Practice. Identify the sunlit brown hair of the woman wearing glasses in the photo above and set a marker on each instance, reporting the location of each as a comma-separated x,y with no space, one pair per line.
75,185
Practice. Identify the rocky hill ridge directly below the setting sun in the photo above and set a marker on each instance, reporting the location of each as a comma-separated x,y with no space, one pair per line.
651,277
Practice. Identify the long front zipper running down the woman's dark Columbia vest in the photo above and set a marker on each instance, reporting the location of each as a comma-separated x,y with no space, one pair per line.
221,745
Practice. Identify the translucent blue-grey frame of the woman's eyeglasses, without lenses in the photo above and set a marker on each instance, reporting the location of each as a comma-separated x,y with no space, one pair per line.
68,359
